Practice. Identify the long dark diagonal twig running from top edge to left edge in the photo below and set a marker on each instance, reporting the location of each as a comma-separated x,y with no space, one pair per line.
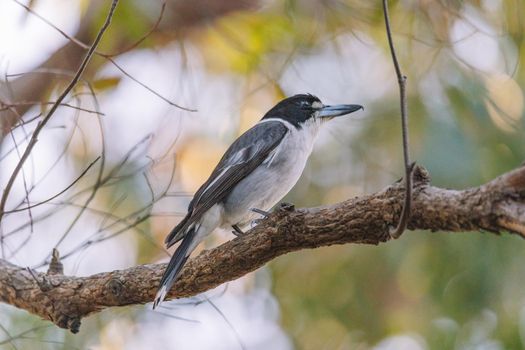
45,120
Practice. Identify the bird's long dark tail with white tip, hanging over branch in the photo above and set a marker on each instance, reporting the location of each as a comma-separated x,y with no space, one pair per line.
174,267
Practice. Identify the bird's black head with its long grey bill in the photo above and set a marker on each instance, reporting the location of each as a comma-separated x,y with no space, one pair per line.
300,109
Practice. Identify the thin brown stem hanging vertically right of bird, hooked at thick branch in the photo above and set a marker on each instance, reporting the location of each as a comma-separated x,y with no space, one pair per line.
409,167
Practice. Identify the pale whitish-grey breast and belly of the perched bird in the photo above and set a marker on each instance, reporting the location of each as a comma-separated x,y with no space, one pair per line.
270,182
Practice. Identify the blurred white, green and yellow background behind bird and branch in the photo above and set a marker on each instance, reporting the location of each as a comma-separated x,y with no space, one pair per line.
231,61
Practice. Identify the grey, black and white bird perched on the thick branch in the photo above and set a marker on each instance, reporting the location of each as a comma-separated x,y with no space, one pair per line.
259,168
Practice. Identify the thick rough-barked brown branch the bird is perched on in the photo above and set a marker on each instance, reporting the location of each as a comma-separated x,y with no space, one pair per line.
496,207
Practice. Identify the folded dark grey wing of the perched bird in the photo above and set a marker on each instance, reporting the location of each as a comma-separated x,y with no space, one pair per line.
241,158
